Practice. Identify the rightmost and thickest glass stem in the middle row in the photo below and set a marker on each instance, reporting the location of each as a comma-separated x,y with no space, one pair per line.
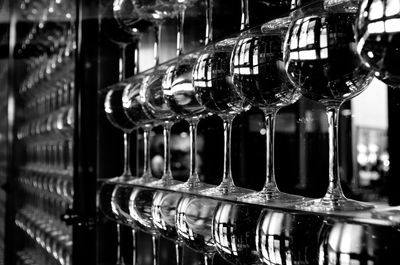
334,189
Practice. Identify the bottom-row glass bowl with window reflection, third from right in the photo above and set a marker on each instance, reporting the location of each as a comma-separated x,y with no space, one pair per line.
234,232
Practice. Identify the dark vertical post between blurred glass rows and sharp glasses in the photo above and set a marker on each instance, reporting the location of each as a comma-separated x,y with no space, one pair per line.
85,129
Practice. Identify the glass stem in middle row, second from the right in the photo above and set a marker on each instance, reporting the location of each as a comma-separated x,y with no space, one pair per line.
270,186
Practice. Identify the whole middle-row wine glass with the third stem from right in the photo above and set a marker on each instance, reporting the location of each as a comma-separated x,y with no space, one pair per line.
214,90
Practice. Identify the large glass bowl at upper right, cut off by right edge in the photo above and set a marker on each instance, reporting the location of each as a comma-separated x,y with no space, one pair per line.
377,34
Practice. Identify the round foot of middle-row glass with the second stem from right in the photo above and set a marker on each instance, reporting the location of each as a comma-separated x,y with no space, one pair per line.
272,198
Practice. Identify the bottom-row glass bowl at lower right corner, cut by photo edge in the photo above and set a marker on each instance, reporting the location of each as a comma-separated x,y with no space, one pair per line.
355,243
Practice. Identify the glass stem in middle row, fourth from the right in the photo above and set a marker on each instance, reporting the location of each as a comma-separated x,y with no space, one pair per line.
193,175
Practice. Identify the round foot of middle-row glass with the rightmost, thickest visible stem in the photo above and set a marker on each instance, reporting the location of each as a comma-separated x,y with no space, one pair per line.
331,205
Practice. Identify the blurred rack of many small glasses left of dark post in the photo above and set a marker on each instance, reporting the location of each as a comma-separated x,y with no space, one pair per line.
44,142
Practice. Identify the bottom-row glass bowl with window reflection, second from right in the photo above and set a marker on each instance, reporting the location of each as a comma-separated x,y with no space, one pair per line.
288,238
